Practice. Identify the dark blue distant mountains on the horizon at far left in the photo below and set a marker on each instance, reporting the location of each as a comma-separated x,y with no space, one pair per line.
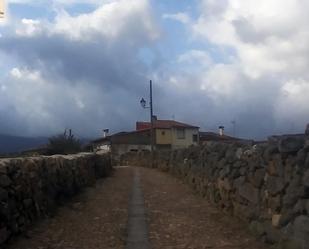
15,144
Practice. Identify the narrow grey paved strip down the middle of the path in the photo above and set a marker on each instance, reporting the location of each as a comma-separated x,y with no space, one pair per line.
137,225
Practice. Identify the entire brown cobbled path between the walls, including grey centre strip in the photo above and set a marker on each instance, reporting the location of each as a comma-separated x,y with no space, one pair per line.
138,208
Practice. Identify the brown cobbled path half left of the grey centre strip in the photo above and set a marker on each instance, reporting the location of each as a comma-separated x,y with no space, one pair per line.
96,219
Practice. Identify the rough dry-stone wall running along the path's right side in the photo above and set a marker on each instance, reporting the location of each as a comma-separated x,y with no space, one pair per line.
266,185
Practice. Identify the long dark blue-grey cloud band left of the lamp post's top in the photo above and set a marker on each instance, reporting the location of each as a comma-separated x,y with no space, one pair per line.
60,59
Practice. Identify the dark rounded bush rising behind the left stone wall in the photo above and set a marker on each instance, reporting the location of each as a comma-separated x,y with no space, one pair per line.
64,143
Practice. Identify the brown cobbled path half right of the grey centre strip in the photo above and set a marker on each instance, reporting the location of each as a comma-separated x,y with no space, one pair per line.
179,219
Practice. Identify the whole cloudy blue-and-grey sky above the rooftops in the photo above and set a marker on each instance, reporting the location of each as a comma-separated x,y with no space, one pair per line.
85,65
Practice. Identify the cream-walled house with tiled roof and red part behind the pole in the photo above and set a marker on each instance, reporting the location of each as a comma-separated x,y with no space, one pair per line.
170,134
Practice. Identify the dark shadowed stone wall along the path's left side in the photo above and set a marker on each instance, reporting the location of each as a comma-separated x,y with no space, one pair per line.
31,188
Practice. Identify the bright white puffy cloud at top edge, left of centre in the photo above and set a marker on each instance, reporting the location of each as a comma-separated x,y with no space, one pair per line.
110,21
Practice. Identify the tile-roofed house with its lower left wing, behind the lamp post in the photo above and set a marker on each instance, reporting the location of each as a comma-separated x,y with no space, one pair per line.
168,134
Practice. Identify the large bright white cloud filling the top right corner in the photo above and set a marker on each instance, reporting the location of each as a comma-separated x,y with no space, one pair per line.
268,36
